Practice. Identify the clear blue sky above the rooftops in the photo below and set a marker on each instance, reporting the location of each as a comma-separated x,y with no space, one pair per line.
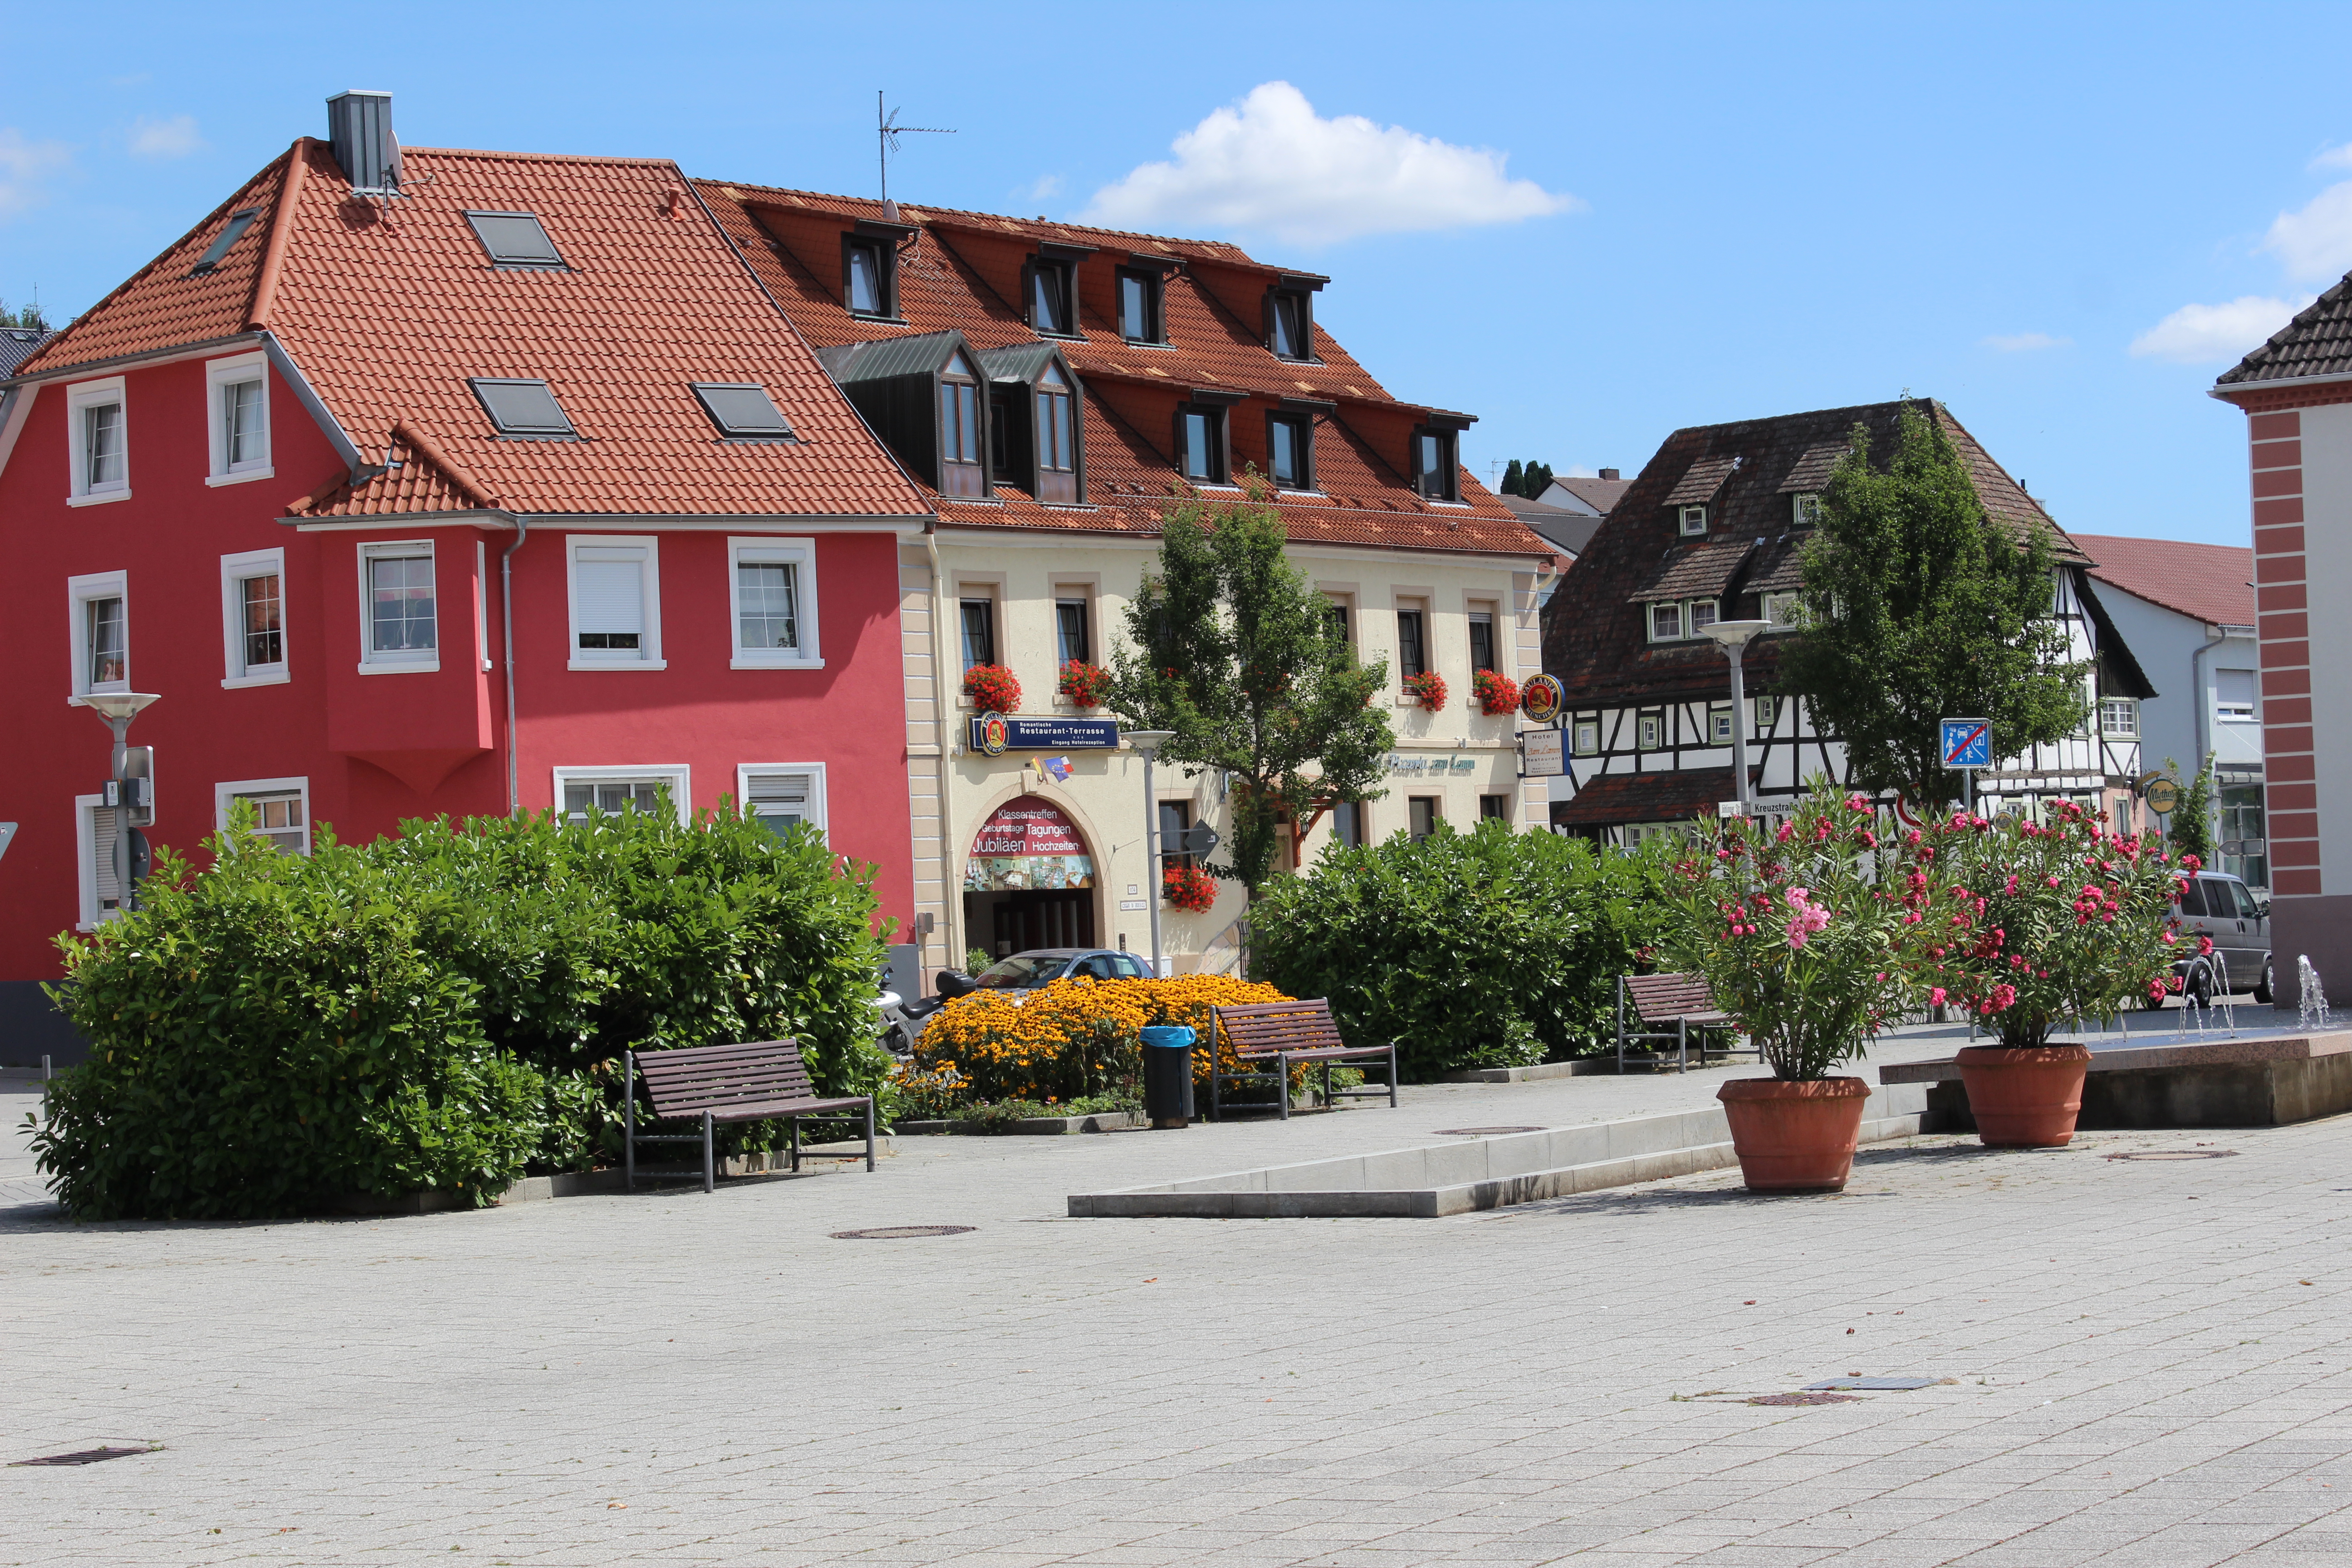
1582,225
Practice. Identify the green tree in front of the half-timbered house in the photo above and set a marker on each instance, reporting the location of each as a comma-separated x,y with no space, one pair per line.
1923,608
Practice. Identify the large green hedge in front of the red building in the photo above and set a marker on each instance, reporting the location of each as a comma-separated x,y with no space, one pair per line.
443,1010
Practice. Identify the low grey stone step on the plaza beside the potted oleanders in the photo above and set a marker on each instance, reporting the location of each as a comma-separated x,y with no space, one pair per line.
1450,1179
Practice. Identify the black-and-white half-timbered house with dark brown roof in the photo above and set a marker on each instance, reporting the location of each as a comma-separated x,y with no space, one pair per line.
1711,532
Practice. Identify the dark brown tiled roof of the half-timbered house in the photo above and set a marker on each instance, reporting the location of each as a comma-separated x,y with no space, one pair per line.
1593,634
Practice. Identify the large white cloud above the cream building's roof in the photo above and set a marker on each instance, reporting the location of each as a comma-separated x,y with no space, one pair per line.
1274,166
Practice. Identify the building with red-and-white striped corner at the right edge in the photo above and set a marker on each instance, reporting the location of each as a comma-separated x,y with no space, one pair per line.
2297,394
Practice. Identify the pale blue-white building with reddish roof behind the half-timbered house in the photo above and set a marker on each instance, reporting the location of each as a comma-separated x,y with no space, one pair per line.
2189,617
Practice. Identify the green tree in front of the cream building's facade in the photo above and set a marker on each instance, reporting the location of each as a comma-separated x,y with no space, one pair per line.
1241,659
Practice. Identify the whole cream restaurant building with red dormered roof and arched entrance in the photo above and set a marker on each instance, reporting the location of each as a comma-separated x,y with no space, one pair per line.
1053,391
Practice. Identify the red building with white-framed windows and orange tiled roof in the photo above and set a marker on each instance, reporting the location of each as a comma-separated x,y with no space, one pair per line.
441,483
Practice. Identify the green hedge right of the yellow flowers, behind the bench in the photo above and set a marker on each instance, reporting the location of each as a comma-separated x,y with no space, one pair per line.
1483,949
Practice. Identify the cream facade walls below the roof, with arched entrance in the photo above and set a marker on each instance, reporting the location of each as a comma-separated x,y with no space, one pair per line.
1455,765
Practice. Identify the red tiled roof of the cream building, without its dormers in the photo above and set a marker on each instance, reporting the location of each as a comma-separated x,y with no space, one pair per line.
961,272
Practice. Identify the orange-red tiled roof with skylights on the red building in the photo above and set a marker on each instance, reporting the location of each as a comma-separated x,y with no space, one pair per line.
389,311
